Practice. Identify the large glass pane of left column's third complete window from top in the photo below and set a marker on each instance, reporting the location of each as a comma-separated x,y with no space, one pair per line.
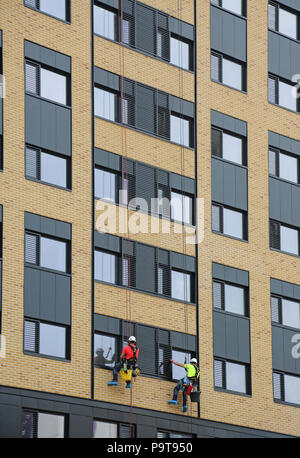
53,254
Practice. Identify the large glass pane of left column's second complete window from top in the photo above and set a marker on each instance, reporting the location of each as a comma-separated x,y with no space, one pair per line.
54,169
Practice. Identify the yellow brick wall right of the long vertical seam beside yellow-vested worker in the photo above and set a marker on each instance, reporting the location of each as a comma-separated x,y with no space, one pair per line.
259,411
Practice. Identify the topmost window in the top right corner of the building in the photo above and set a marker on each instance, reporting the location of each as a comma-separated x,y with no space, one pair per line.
283,21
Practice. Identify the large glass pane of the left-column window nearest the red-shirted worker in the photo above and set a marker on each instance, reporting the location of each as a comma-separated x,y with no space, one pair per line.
52,340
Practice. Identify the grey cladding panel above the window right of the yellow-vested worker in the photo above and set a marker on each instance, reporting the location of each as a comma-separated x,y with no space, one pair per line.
231,337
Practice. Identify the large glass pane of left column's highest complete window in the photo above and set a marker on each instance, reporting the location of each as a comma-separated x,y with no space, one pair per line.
53,86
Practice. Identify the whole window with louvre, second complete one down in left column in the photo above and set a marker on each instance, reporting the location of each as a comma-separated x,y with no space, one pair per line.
47,167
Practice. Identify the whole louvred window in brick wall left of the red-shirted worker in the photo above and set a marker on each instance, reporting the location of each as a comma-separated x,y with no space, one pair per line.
46,339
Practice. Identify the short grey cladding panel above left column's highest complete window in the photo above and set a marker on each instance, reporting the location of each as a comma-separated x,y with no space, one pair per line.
47,56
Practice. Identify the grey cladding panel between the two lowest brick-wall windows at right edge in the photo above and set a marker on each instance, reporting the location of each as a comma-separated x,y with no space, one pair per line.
282,350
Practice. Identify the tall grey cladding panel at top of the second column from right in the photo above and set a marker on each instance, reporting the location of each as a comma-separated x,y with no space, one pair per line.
228,33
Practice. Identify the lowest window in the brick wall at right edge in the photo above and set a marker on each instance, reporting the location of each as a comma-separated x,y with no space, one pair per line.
286,387
